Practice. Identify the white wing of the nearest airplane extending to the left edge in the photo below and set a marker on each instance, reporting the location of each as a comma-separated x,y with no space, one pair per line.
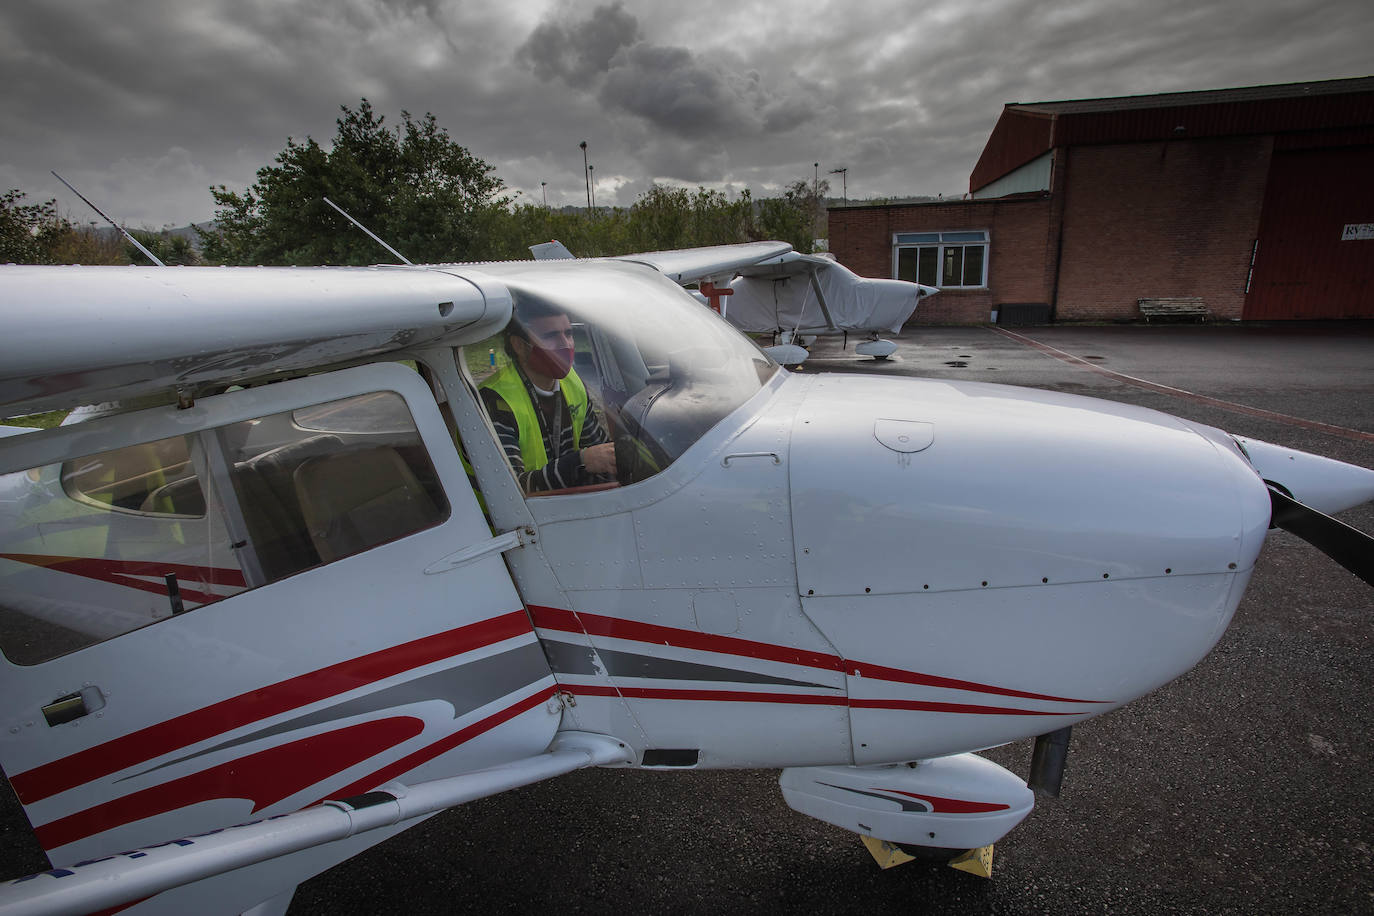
80,336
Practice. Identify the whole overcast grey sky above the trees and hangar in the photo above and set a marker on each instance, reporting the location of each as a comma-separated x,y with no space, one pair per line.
146,104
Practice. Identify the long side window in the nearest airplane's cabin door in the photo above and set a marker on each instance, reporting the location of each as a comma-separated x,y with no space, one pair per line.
108,543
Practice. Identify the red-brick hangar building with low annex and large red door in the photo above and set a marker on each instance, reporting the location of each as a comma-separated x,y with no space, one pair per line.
1257,201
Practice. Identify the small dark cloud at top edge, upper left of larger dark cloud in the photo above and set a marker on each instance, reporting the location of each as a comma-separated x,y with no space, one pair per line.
578,53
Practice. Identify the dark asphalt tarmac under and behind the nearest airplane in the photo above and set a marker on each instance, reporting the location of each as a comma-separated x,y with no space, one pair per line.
1243,788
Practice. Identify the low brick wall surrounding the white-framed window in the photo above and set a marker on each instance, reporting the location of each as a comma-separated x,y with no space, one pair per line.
1020,256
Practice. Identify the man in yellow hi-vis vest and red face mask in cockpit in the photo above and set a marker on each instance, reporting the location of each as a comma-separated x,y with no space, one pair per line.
552,433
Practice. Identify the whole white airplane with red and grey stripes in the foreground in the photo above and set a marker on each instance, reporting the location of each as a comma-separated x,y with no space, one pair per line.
256,615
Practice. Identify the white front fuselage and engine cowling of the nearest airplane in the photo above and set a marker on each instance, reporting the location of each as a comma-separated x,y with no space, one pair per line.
908,568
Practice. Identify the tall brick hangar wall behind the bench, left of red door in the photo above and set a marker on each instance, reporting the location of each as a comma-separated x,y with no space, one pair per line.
1164,219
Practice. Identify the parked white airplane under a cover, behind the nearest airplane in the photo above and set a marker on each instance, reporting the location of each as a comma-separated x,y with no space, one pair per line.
796,299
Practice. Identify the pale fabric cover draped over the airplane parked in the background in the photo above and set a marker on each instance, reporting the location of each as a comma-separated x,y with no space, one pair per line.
780,296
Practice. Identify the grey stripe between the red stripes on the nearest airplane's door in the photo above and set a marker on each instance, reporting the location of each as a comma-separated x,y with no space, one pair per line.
465,687
